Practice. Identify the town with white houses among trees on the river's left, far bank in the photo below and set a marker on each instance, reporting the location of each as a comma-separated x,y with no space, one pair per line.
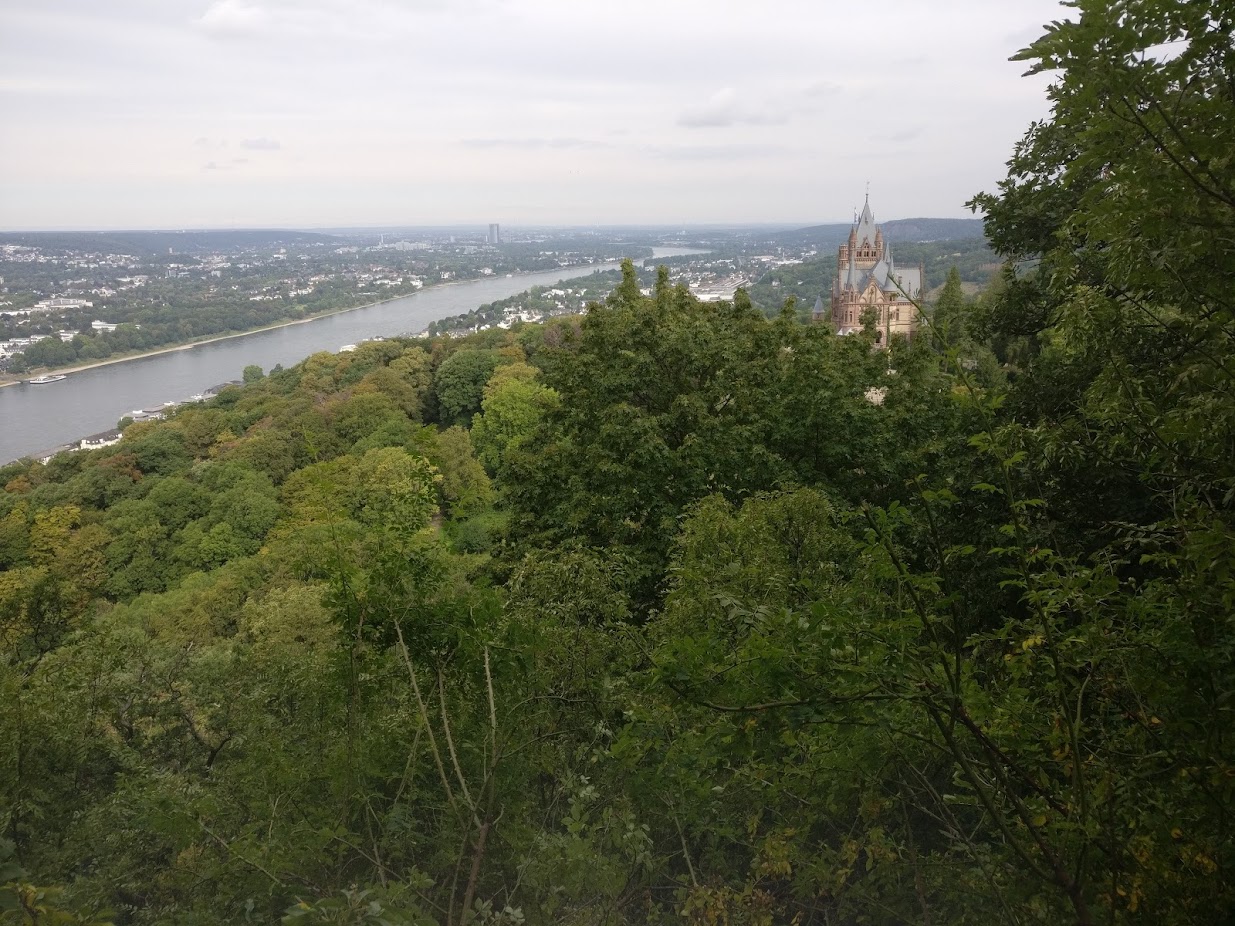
83,298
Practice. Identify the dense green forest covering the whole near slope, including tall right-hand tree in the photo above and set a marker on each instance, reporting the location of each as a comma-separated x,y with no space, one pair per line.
674,613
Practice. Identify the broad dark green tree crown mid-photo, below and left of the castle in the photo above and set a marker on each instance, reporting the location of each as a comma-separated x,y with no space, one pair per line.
665,401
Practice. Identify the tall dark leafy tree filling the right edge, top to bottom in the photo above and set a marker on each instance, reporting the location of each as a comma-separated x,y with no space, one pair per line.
1117,217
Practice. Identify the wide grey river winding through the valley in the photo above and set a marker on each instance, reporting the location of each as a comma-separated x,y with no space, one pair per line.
39,418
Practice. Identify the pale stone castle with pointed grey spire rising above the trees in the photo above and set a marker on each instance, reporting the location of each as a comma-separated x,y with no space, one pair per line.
870,282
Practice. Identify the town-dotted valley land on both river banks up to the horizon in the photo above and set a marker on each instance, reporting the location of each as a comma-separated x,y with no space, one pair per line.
76,299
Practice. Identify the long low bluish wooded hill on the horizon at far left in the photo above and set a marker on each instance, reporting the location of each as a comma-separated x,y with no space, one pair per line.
157,243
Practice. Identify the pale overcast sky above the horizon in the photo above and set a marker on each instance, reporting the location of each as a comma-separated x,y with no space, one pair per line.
166,114
